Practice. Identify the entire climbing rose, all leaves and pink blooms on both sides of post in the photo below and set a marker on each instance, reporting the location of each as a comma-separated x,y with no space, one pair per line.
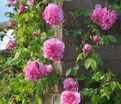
28,69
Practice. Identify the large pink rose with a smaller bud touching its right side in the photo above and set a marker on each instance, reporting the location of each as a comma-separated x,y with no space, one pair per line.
34,70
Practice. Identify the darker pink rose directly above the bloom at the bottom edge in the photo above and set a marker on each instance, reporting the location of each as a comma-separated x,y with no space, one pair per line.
70,85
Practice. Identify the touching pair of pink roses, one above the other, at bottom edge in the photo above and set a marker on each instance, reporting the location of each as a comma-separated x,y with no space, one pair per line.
70,95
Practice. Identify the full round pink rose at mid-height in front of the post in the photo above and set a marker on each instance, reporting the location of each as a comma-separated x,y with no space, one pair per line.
53,49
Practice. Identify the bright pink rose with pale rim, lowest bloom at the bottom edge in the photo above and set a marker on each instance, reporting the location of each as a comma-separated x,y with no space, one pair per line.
68,97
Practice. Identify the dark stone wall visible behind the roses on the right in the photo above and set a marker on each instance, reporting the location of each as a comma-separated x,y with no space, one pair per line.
111,54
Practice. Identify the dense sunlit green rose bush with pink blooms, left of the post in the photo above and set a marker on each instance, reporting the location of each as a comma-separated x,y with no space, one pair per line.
28,66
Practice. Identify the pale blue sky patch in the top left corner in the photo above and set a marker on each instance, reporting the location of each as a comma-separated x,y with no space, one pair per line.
3,9
